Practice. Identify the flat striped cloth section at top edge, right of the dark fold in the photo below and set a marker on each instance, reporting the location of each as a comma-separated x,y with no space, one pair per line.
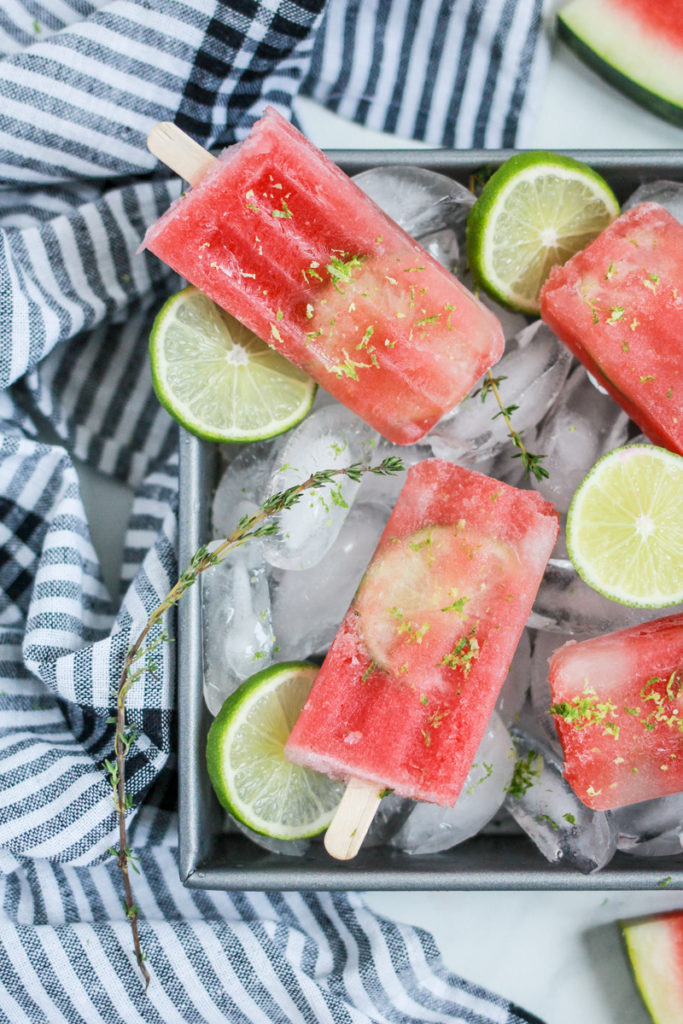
464,74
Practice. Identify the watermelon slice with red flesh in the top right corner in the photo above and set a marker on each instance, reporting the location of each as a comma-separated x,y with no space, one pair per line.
636,46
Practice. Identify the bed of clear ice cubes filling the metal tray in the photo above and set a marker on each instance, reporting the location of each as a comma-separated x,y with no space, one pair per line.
284,598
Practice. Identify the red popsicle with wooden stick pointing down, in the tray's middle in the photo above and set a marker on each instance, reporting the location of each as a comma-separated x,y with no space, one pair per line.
411,680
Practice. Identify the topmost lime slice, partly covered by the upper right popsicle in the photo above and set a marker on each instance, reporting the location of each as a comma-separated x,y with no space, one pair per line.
536,211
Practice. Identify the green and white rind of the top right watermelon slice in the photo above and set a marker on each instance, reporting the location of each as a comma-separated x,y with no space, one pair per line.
647,79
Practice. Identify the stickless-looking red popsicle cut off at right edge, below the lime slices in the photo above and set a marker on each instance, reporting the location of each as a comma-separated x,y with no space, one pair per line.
618,704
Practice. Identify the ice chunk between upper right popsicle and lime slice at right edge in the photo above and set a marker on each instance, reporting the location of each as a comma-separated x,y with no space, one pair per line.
579,430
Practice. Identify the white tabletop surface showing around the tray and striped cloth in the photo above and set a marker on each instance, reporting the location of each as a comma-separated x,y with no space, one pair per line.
557,954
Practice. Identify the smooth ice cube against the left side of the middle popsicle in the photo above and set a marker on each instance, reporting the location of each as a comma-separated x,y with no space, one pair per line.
309,606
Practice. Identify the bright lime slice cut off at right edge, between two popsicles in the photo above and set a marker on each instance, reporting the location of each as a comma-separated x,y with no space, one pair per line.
625,527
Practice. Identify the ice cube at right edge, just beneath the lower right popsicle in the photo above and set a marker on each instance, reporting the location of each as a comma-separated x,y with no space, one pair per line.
652,829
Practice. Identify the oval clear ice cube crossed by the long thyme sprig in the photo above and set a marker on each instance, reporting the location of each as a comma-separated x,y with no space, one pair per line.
331,439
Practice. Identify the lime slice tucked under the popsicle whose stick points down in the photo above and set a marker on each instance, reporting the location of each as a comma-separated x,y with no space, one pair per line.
246,757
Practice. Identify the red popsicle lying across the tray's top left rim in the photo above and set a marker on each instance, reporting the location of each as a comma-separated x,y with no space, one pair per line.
280,237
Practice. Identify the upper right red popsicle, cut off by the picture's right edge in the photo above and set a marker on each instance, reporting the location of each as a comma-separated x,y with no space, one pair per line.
619,307
